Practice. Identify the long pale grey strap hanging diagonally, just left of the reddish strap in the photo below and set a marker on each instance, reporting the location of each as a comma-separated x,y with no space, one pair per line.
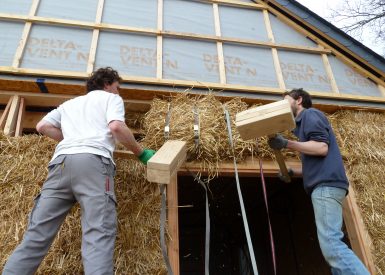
243,211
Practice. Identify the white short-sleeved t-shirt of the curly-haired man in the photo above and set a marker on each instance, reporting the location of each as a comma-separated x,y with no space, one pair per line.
84,123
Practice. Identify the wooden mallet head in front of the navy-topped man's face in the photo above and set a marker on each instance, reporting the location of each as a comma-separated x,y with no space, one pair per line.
265,120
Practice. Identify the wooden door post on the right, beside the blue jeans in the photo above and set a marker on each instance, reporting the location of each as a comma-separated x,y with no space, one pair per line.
357,233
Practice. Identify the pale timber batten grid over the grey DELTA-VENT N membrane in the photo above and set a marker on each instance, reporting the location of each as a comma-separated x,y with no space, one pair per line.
267,7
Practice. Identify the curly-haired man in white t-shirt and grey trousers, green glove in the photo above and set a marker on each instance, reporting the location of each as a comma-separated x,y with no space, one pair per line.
81,170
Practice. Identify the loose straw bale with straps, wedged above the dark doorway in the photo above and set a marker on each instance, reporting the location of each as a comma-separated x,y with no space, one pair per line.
213,138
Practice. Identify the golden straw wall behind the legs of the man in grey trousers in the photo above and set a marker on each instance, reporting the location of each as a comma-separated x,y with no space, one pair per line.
24,168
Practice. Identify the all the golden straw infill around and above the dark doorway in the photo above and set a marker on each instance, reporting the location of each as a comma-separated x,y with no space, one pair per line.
24,160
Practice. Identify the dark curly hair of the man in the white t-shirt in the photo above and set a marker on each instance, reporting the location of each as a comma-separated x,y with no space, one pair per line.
101,77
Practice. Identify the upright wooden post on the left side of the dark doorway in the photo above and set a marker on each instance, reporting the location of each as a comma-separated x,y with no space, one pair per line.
173,224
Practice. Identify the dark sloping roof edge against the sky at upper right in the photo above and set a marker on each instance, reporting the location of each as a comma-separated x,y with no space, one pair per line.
334,32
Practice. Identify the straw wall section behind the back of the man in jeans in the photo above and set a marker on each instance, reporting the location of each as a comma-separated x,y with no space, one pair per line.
361,136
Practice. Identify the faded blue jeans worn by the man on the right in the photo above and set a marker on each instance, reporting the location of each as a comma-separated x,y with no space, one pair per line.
327,204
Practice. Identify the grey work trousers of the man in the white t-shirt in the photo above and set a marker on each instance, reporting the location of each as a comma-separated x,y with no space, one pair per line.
85,178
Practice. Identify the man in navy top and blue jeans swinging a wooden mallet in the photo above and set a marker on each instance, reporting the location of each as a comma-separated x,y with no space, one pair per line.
324,179
